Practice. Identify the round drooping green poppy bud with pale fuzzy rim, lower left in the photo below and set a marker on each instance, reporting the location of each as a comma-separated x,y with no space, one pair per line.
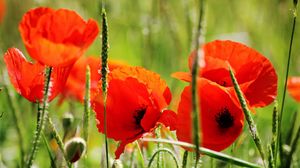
74,149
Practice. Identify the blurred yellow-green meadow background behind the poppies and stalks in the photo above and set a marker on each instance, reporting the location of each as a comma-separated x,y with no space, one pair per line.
158,35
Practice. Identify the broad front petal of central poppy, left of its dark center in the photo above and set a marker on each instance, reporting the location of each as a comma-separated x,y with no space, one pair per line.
123,110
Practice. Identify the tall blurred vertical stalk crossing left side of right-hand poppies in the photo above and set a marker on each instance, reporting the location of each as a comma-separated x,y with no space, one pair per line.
195,114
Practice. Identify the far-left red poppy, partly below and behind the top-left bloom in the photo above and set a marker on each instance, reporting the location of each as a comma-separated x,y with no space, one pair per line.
28,78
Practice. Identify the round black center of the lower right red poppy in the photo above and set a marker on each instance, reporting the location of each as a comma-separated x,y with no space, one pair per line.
224,118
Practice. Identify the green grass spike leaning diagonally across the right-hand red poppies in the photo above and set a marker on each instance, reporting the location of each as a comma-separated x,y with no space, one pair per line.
247,113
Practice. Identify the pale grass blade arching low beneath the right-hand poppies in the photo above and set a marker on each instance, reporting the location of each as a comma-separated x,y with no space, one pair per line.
208,152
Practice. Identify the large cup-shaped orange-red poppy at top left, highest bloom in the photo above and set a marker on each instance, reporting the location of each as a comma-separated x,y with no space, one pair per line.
56,37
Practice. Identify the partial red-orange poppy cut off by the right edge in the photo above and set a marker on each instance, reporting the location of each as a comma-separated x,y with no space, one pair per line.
294,87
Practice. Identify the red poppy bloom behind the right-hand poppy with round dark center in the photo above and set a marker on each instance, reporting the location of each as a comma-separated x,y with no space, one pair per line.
255,73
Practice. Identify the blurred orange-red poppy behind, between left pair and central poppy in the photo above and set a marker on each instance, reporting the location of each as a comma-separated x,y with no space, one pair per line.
75,85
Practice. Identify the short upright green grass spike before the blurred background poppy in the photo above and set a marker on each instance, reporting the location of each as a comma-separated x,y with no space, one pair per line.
87,106
